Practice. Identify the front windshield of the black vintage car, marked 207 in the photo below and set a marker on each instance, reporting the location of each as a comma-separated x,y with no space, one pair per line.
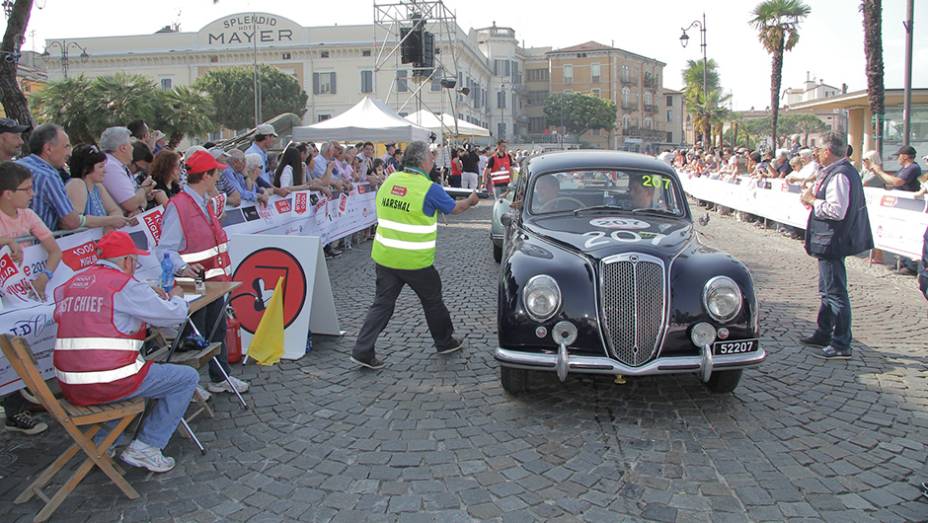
579,191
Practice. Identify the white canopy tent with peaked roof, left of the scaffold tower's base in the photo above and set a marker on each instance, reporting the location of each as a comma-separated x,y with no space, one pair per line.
370,120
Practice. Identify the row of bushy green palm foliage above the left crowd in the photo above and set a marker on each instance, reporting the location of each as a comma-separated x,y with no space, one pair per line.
85,106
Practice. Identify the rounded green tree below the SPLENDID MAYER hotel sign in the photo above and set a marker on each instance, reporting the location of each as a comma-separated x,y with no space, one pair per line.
232,91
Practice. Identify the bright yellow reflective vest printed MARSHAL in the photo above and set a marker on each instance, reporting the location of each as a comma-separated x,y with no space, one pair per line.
405,236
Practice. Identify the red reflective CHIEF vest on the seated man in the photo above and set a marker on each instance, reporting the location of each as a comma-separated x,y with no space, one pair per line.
94,362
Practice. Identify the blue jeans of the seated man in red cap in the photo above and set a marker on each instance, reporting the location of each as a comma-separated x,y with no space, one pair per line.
171,387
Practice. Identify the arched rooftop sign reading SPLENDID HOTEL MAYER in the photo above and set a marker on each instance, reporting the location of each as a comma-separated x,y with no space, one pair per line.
240,30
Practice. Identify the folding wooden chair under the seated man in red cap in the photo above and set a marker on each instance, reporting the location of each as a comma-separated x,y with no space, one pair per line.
72,418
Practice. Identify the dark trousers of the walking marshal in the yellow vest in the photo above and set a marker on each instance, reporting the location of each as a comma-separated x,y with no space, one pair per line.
426,283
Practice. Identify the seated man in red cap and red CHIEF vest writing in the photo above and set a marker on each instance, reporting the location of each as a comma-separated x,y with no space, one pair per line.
102,314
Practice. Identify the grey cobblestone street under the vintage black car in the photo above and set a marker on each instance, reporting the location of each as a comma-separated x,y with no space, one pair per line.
432,438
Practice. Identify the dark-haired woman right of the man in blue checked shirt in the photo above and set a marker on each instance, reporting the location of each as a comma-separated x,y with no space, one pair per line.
85,189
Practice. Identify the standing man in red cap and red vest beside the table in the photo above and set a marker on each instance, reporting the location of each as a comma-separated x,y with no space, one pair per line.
192,236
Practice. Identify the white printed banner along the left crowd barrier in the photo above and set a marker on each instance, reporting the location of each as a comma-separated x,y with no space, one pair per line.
301,213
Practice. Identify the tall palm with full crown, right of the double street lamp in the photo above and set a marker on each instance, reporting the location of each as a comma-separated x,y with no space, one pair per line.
777,24
